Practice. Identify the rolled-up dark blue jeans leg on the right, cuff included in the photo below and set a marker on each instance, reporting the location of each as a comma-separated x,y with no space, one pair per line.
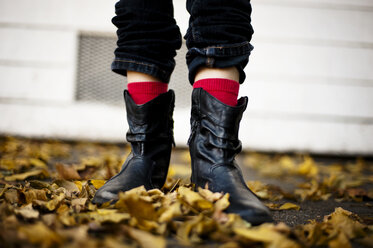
219,35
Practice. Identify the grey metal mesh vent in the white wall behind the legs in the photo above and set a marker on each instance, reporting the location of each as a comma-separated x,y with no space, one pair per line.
98,84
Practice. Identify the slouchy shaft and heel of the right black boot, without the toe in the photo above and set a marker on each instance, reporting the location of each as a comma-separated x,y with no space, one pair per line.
214,136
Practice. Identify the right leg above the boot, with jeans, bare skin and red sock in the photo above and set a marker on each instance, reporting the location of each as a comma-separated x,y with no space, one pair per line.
218,40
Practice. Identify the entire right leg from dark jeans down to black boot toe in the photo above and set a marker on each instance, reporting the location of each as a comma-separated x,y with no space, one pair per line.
218,41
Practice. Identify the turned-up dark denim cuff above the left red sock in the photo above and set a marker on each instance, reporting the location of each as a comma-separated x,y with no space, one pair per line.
121,66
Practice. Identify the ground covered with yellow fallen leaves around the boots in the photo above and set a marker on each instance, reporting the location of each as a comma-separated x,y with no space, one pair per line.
46,189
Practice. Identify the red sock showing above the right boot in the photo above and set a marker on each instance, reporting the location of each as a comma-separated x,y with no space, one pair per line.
225,90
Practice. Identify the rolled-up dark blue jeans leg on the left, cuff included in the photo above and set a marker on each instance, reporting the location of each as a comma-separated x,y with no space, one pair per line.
147,38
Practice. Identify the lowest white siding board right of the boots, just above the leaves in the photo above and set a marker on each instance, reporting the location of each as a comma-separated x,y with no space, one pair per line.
272,134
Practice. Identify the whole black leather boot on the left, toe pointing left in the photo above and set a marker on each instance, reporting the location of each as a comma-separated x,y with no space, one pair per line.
151,136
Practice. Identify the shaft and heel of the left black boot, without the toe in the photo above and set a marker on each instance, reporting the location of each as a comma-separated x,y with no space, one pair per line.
151,134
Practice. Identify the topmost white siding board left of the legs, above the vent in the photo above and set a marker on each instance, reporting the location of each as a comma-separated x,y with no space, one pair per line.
67,14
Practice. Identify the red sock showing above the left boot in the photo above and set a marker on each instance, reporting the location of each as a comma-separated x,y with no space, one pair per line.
143,92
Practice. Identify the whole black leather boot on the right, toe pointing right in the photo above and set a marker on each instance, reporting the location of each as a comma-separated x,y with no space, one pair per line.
213,145
